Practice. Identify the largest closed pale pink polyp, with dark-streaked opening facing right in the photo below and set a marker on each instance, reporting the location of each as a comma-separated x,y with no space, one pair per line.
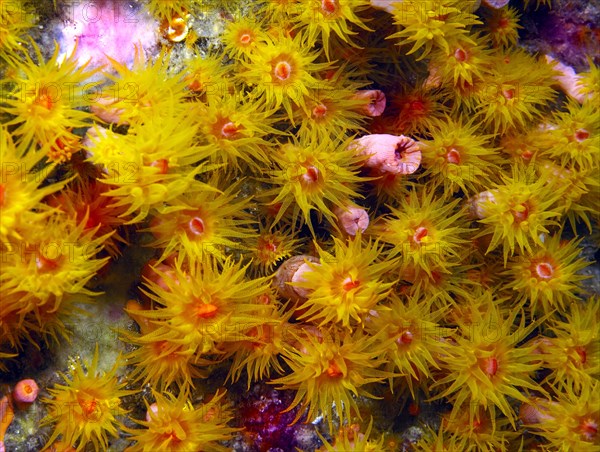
390,153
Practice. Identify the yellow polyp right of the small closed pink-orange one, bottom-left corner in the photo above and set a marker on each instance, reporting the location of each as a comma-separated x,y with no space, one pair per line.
86,409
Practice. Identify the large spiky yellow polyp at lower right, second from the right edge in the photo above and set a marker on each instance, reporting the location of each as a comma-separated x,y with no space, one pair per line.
486,367
